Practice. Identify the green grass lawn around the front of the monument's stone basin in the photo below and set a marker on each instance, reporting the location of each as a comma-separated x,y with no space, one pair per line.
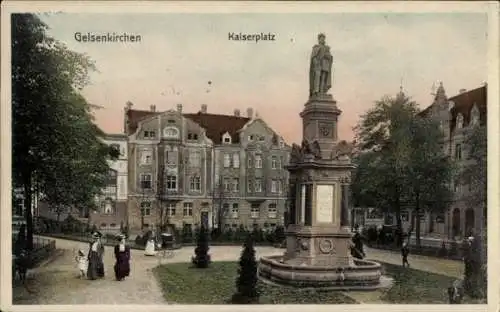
183,284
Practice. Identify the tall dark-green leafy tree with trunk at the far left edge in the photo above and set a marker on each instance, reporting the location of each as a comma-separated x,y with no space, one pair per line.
55,147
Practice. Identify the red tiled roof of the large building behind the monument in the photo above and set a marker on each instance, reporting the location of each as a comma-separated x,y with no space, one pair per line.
215,125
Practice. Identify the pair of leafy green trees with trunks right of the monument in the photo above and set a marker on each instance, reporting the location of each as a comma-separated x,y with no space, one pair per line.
400,161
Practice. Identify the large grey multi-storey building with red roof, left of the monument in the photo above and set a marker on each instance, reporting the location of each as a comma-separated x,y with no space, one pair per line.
201,168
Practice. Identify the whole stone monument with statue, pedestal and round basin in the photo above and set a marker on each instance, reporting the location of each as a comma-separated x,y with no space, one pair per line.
319,236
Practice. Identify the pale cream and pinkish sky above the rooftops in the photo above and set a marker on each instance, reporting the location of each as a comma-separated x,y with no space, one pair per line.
180,53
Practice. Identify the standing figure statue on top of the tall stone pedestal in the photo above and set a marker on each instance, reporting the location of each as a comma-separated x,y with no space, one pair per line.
320,72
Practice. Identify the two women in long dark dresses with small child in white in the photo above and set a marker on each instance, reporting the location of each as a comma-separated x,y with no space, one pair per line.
92,265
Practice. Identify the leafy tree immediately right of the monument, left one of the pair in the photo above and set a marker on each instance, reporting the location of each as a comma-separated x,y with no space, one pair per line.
383,141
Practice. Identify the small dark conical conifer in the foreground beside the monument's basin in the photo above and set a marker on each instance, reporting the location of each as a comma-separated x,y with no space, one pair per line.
246,283
